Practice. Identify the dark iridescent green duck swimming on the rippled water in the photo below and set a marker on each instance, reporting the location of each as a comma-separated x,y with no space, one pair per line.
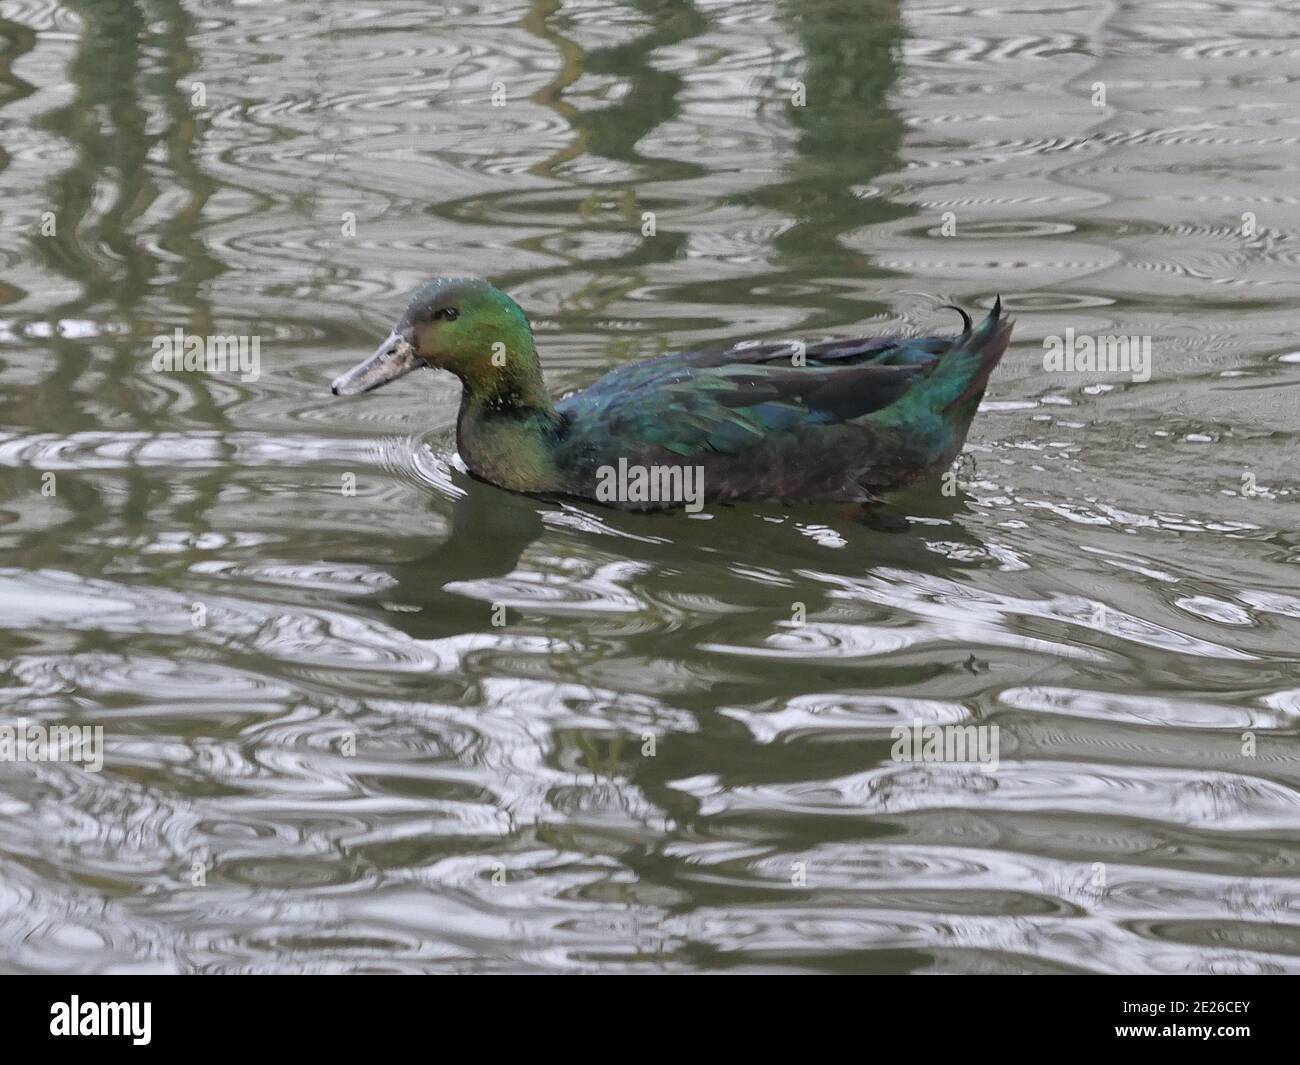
837,421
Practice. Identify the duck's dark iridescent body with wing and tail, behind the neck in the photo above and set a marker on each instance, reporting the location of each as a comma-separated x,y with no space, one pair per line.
837,421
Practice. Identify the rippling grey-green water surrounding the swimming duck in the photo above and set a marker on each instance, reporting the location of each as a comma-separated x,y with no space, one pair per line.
432,726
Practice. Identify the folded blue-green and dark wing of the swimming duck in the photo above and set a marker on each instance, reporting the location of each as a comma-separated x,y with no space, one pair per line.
734,400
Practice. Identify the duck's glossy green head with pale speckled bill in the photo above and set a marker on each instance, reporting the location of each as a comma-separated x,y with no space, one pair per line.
461,324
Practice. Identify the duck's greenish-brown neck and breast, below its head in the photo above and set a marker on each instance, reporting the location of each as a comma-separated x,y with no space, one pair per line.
508,426
